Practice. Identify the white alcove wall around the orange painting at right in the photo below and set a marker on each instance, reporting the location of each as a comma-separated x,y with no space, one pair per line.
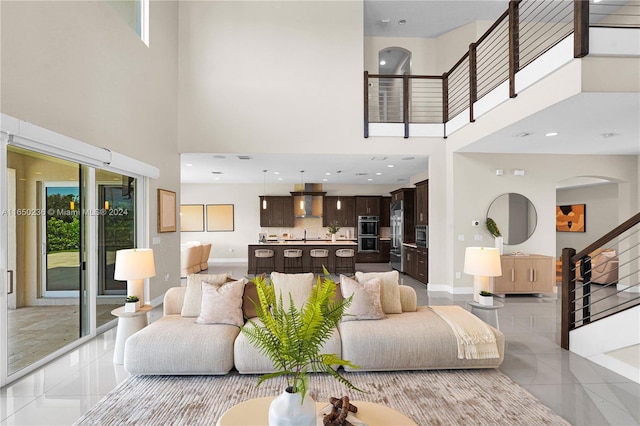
601,214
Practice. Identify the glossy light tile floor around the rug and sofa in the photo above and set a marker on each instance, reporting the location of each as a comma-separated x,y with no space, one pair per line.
577,389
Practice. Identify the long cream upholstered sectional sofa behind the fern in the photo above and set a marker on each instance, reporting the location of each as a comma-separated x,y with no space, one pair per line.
404,337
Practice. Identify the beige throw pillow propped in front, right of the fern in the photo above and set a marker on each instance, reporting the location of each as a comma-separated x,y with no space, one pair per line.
365,304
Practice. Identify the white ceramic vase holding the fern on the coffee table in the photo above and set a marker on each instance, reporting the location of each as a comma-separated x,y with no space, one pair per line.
286,410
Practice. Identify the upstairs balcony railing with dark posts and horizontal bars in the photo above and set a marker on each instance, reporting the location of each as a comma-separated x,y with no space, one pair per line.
528,29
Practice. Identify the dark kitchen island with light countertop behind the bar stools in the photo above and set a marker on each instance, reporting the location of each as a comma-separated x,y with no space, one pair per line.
279,247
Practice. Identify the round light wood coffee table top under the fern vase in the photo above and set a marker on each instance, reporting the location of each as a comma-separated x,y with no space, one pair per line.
256,412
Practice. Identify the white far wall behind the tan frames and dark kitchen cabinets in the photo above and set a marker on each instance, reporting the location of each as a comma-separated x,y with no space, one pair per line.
232,246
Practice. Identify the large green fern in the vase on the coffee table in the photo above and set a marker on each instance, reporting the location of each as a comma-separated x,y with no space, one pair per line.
293,337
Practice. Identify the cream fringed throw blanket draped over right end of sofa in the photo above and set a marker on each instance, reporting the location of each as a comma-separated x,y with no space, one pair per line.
475,338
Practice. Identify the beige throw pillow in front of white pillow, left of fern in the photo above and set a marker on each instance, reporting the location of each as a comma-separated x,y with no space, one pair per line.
222,303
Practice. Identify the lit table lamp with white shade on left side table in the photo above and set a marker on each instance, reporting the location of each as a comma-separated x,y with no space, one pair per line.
133,266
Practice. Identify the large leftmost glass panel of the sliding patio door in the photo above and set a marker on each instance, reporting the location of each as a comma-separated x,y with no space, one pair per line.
44,307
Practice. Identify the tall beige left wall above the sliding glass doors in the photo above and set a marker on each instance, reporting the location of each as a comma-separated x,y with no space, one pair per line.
78,69
